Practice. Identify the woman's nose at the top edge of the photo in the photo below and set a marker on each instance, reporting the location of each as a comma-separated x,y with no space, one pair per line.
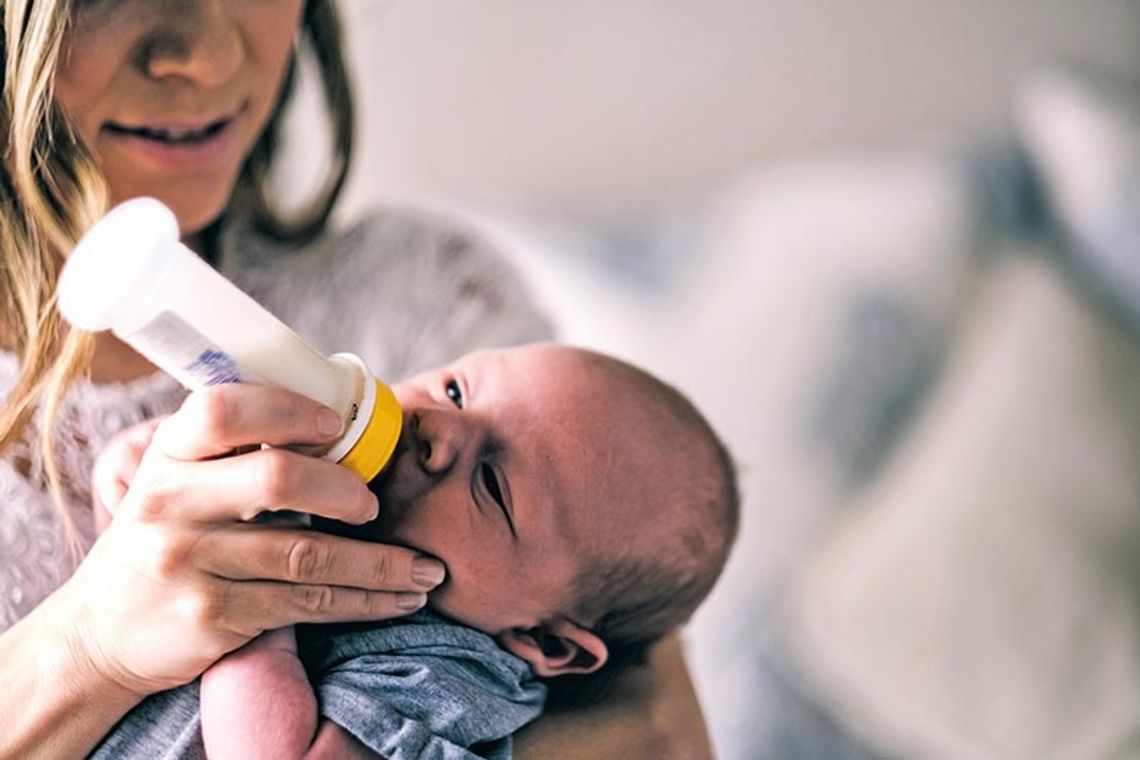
202,44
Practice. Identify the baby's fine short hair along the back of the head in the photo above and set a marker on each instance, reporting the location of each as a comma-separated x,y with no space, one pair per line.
634,601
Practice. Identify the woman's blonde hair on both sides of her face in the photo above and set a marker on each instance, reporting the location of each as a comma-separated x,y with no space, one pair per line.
52,191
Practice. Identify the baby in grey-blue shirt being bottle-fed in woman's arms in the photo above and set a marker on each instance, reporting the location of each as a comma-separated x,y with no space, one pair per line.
583,509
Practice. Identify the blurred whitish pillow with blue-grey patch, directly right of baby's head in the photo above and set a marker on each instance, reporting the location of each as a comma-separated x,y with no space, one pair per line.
829,289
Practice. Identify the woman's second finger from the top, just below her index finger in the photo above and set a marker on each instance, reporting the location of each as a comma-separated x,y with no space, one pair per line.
242,487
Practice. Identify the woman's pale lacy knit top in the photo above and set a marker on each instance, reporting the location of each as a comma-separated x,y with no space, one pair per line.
405,291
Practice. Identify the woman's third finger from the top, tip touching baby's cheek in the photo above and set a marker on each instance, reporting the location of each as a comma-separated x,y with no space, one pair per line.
315,559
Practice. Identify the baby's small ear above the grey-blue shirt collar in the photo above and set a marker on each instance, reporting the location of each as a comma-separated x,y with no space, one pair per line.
557,649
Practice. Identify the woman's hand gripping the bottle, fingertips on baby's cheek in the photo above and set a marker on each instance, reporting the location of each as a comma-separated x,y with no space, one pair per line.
181,577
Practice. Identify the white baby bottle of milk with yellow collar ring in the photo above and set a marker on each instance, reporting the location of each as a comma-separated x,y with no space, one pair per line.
131,274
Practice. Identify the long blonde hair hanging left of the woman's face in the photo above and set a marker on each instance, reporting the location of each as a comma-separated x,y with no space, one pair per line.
56,191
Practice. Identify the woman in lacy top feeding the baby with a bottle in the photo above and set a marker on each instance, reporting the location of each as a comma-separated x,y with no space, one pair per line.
182,101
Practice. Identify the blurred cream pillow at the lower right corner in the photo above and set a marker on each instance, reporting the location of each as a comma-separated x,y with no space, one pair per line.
983,603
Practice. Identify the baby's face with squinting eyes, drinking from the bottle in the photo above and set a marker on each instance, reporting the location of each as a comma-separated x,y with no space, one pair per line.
504,472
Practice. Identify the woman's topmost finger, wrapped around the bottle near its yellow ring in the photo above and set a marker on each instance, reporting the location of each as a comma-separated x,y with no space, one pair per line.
217,421
